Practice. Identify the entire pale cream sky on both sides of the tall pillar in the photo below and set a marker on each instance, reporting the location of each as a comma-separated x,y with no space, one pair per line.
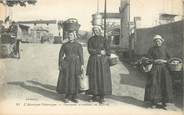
83,9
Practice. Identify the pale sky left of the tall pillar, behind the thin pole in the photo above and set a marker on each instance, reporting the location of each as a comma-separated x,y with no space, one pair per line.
64,9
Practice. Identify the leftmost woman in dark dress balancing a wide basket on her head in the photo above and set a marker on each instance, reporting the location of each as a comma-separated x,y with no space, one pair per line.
70,66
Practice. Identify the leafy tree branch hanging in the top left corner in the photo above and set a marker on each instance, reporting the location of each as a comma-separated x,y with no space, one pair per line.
12,3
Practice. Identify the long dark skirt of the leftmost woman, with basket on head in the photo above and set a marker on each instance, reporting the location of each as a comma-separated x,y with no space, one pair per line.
68,82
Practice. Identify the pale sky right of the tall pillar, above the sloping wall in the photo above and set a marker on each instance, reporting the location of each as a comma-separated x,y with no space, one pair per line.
149,10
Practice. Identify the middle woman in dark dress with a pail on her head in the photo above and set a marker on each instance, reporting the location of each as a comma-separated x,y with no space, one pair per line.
98,68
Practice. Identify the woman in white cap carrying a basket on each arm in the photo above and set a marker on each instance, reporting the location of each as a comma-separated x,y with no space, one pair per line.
159,85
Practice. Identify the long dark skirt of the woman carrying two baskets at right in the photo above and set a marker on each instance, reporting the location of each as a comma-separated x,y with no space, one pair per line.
159,85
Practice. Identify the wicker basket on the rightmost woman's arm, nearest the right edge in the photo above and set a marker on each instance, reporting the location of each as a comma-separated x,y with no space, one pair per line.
177,66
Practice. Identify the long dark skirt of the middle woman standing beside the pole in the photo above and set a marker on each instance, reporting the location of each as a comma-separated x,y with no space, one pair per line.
98,70
